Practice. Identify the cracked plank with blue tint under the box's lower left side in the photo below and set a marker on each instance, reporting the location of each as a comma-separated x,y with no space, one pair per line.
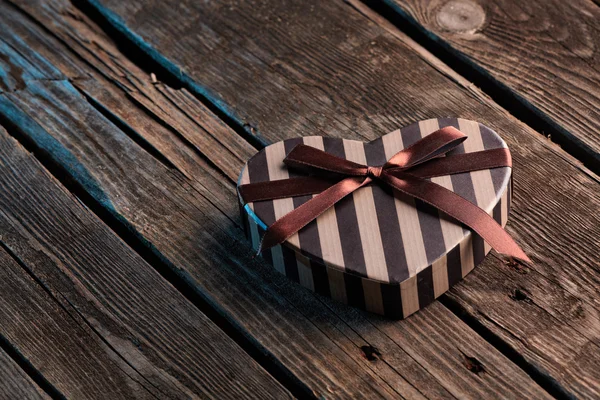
330,350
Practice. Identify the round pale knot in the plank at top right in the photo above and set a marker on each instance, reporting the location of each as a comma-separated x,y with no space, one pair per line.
464,16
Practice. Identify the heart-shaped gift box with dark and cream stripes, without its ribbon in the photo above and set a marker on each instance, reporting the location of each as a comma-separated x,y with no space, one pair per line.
377,248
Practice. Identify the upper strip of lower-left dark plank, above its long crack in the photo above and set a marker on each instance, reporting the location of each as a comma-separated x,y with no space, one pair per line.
115,293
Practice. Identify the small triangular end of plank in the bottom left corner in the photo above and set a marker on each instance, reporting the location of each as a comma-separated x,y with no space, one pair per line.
14,382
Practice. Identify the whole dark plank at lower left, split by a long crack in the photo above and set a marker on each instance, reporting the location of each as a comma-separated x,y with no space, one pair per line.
138,337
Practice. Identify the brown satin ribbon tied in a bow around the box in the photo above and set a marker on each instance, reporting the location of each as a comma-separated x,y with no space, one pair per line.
406,172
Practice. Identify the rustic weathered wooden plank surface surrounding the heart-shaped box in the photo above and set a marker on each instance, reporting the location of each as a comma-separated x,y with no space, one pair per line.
124,124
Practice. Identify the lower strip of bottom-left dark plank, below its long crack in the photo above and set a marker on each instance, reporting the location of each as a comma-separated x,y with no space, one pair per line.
50,336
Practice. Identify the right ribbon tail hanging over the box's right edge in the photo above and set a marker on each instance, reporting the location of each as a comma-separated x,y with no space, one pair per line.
460,209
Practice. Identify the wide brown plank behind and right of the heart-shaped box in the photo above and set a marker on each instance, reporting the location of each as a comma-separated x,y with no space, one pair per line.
284,69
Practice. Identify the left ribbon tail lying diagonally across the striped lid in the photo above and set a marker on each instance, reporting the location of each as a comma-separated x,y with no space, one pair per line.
298,218
